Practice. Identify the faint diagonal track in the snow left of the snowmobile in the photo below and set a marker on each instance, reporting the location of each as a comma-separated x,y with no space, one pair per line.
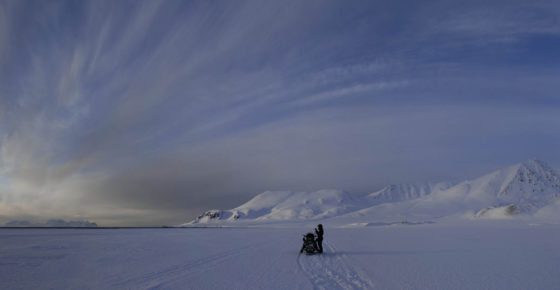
158,279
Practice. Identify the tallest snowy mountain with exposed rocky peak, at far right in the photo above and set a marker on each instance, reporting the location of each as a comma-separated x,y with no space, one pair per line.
527,188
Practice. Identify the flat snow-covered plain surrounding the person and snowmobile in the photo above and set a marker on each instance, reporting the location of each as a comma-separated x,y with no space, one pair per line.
482,254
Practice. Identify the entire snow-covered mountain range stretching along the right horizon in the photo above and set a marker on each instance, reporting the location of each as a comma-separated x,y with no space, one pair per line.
525,188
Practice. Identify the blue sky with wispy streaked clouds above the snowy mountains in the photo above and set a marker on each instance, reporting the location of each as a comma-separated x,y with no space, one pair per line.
145,113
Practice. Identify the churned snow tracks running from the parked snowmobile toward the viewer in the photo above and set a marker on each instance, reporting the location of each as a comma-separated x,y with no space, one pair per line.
331,271
